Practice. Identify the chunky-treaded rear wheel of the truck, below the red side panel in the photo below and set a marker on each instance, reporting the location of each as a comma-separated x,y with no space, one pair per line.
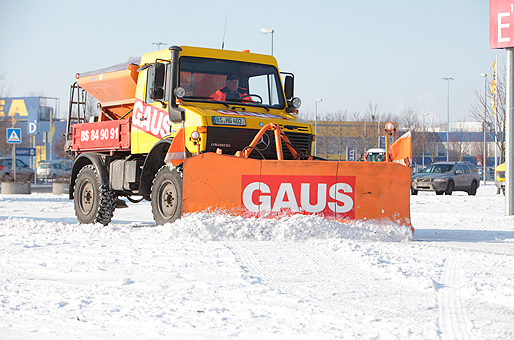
94,203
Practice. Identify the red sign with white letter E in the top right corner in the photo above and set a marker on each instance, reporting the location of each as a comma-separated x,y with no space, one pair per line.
501,24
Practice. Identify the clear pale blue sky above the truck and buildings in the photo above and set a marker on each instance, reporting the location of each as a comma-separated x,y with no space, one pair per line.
391,53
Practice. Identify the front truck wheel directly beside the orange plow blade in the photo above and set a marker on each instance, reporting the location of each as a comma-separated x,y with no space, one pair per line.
166,196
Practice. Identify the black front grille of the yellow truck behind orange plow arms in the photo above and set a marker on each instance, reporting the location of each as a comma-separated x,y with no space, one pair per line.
231,140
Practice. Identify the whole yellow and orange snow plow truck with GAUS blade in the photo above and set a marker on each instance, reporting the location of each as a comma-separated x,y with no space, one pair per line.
196,129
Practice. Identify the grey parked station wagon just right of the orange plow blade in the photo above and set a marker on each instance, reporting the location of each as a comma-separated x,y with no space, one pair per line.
447,177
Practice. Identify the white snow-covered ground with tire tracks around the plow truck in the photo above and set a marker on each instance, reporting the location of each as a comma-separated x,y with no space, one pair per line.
223,277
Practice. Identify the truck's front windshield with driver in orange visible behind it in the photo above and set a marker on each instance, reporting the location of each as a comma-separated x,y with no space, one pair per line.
230,81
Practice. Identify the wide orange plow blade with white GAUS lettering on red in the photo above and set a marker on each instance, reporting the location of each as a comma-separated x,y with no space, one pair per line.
270,188
